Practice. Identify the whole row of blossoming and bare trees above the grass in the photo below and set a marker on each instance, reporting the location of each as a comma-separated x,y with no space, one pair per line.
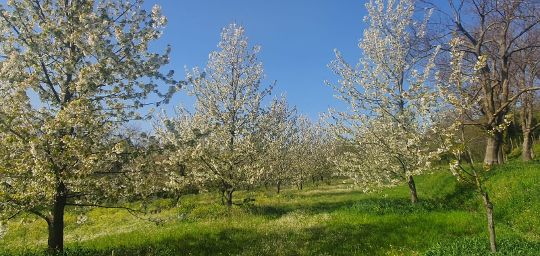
435,84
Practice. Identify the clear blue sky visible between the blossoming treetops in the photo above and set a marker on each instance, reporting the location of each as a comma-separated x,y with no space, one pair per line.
297,39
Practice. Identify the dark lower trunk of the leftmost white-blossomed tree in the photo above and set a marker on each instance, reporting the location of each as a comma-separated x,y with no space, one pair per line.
55,222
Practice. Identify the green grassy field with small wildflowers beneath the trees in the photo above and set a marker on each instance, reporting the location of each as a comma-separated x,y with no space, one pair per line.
323,220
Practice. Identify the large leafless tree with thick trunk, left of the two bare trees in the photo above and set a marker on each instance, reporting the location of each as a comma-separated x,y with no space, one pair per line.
492,31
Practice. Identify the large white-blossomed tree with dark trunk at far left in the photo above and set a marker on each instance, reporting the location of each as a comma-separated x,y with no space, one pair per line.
72,73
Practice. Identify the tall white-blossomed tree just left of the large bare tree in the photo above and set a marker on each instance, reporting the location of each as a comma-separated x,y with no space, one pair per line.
390,100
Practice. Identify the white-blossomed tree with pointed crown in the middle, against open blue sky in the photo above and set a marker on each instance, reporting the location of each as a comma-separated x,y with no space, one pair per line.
228,97
